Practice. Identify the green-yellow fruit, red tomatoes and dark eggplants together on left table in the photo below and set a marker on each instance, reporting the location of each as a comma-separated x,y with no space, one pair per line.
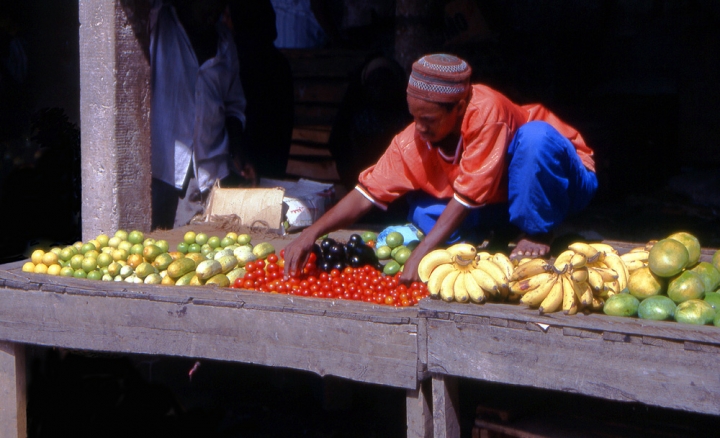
348,270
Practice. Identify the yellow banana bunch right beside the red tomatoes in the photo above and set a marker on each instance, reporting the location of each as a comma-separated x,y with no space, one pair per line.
459,273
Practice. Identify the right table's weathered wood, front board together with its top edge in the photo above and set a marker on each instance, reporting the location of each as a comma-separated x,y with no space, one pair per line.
658,363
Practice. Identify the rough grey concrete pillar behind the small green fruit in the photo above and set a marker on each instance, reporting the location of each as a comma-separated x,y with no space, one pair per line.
114,121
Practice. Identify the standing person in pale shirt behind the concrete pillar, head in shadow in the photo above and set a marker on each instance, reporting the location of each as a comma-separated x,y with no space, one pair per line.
198,108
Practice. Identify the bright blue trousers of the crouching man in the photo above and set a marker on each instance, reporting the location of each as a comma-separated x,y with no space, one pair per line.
546,183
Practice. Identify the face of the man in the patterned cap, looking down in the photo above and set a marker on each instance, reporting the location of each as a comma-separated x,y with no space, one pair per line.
433,121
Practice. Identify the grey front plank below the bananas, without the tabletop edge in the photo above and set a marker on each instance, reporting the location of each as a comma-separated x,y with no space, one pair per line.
614,367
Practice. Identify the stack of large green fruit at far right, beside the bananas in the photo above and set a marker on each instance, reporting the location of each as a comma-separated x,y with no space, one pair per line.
671,283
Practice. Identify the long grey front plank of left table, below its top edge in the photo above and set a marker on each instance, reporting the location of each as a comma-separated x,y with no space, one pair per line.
364,351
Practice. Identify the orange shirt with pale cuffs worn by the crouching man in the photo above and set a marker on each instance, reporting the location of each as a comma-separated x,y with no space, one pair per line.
479,175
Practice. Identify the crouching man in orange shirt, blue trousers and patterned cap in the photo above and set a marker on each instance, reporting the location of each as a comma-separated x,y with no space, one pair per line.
471,162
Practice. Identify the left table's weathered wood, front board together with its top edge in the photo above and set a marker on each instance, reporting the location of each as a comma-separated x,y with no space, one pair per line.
357,341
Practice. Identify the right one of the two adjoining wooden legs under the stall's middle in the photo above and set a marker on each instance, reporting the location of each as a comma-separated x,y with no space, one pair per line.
446,419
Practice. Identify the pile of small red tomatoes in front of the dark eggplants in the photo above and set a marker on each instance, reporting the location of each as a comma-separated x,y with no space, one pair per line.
364,283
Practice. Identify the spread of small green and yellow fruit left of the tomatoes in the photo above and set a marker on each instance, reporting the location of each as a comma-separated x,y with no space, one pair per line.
131,257
